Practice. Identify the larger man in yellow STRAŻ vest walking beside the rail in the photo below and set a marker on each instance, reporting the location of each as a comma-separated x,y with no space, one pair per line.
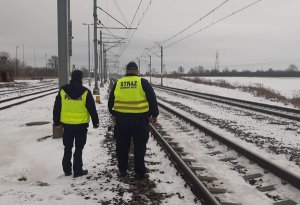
132,103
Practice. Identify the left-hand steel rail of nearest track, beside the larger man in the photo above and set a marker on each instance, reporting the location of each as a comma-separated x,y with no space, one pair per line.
198,188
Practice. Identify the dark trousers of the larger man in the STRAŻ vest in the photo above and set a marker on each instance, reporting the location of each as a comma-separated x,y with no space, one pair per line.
127,128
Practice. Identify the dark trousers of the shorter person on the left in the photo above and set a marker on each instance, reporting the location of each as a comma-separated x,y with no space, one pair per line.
79,134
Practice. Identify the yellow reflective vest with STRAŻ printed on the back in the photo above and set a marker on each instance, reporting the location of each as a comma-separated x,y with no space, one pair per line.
130,96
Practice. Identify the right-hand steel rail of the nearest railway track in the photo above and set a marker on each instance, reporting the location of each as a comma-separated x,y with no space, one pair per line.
261,161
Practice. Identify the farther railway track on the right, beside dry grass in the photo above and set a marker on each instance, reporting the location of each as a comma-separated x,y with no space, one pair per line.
283,112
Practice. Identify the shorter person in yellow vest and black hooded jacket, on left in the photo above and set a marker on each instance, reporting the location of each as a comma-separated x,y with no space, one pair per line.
73,107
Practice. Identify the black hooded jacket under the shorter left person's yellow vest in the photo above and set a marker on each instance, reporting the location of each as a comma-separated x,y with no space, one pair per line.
74,91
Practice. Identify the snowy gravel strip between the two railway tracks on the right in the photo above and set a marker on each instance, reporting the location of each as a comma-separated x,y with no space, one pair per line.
259,132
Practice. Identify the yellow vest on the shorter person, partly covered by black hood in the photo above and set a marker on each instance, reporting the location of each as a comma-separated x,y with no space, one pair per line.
73,111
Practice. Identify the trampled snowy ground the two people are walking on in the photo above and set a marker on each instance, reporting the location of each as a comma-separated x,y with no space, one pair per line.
39,162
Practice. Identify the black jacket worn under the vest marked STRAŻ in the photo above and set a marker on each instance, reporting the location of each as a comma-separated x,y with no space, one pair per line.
150,95
